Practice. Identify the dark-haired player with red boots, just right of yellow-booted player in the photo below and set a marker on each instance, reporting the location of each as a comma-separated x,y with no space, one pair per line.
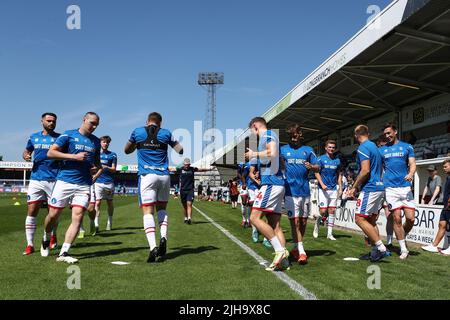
299,159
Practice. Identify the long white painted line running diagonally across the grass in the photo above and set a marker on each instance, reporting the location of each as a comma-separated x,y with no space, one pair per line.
294,285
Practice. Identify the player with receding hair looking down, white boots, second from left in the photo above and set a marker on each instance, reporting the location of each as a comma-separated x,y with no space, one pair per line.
80,150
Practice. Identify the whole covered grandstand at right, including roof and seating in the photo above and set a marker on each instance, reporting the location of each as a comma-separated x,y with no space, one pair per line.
395,69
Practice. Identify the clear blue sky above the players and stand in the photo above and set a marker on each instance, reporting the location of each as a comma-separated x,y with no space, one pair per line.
134,57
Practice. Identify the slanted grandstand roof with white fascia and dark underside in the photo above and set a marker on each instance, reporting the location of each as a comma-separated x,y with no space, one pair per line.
399,58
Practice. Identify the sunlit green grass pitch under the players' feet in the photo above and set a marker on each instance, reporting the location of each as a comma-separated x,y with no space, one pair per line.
201,263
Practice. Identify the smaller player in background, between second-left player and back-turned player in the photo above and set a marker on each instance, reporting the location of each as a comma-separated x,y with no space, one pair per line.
104,185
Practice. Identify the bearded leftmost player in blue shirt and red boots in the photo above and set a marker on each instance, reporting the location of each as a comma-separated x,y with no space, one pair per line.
43,177
